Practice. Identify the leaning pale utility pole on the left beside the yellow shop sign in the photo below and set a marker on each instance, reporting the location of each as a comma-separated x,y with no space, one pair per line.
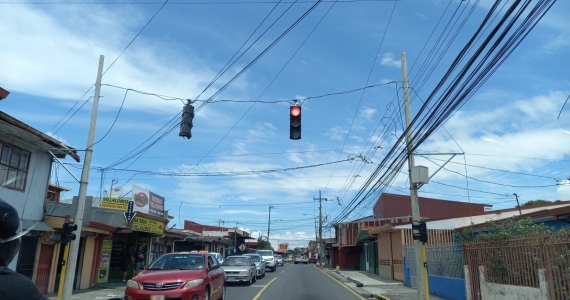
78,219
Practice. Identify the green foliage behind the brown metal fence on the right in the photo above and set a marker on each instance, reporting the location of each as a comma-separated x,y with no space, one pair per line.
504,230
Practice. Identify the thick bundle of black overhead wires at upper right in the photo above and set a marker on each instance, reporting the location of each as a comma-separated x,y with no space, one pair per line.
495,48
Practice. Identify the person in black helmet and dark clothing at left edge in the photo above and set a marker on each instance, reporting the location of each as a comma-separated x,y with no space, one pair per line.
13,285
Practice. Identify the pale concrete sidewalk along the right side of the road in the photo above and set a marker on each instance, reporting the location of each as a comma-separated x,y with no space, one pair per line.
378,287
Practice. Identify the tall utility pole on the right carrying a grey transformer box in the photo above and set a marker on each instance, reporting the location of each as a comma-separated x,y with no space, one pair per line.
421,268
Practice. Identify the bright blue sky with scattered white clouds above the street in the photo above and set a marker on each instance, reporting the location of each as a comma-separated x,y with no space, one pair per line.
244,63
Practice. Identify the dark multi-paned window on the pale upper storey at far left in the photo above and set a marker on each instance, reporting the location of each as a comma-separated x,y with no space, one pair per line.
14,164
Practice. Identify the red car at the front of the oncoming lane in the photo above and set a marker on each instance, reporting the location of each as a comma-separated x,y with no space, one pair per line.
182,275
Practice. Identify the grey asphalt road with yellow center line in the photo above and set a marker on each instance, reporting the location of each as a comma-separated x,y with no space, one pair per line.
293,282
